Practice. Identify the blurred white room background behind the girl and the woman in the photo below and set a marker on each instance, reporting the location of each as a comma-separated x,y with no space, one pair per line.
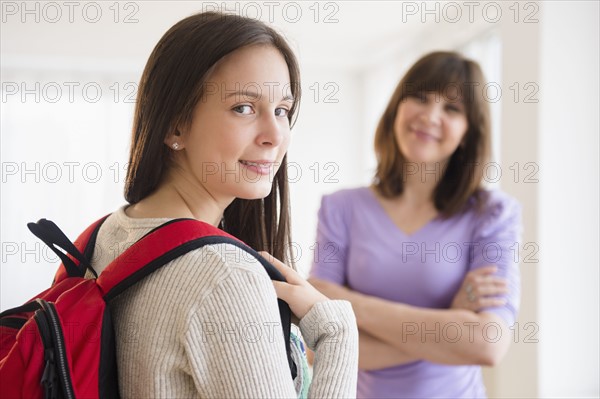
70,71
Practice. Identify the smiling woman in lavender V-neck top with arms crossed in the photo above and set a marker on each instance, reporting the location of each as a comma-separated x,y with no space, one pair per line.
424,253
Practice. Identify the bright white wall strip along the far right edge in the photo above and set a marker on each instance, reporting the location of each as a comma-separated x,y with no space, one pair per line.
568,206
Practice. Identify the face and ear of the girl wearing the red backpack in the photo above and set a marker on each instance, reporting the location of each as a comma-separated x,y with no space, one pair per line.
240,131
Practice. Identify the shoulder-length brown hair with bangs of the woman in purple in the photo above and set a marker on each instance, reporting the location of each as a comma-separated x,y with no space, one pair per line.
446,73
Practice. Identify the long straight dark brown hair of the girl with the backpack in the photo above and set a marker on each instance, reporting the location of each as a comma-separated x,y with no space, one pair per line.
170,87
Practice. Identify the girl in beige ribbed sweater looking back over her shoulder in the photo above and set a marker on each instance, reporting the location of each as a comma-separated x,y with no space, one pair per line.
211,131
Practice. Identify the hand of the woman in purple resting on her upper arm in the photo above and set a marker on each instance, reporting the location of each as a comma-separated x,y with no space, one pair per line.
480,289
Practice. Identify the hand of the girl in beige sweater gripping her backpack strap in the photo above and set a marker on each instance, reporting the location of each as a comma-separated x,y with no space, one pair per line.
297,292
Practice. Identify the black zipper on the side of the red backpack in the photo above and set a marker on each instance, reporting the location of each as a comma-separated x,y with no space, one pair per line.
50,329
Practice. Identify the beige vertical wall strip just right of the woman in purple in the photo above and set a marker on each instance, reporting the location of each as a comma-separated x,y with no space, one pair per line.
517,376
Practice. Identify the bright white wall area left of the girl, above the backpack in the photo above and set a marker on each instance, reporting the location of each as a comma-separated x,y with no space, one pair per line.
62,159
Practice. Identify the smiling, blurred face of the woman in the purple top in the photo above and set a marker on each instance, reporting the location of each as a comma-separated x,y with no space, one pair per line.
429,127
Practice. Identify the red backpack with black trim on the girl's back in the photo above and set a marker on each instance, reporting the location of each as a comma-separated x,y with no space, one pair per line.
61,343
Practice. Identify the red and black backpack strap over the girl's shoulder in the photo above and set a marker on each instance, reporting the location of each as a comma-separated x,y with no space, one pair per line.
170,241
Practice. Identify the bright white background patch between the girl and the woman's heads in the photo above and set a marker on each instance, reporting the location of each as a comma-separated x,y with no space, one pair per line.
325,154
